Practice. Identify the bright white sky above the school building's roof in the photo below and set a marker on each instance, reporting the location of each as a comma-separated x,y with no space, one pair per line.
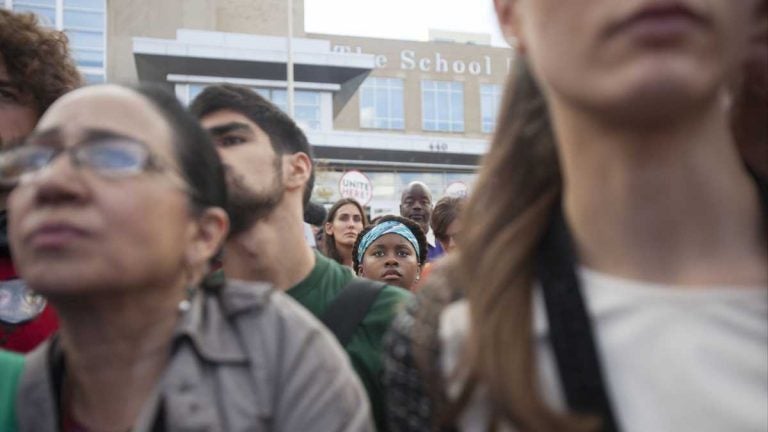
400,19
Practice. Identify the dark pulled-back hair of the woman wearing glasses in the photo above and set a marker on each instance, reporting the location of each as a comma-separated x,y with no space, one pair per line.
198,159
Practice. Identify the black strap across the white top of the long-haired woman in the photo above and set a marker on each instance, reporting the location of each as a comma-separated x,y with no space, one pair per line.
570,327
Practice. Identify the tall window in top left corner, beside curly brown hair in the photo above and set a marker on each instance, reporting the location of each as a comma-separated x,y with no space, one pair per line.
84,22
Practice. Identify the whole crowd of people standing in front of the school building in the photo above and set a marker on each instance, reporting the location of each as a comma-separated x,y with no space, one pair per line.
163,268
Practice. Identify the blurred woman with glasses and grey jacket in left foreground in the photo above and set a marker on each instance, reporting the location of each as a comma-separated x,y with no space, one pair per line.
116,214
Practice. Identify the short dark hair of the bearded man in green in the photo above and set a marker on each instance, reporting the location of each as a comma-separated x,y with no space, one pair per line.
285,135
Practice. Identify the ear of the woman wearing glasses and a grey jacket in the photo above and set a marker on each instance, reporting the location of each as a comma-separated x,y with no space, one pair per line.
206,236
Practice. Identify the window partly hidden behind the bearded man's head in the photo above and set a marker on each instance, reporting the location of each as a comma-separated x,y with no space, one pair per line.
307,105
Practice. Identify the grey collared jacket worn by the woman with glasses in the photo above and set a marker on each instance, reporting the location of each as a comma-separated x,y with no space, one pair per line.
245,358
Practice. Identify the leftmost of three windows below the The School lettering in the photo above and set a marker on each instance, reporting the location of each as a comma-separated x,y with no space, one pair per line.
381,103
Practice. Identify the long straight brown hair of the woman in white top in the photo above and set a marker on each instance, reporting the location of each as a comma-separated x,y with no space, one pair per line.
494,270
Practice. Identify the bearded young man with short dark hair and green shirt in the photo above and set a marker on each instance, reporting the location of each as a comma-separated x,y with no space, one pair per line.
270,178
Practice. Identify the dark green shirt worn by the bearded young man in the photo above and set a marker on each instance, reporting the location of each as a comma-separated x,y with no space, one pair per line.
319,289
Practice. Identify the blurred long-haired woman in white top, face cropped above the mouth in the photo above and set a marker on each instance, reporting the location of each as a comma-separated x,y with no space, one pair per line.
615,273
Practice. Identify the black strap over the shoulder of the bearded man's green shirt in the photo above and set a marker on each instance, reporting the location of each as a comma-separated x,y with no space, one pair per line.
350,307
